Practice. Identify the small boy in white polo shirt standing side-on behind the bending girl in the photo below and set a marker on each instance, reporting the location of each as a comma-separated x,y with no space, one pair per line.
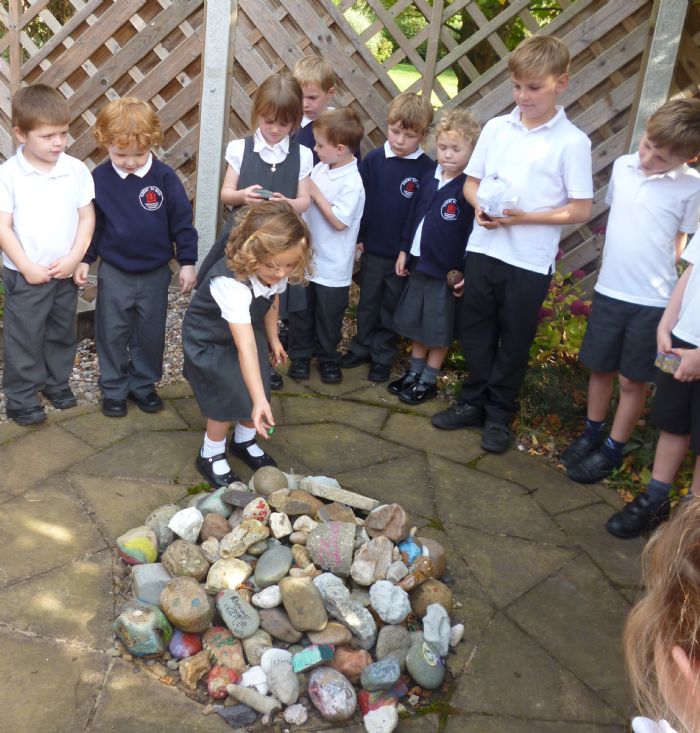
338,198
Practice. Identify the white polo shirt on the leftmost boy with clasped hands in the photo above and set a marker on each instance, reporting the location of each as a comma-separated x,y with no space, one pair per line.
44,206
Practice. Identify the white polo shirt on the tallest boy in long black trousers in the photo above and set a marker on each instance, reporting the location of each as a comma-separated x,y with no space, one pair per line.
546,166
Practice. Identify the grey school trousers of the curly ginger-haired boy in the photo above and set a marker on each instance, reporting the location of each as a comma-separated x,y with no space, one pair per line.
130,329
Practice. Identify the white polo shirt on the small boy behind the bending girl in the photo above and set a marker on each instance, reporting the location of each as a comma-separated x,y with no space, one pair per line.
333,250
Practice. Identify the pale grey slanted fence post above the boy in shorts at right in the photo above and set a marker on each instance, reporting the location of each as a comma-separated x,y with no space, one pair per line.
667,21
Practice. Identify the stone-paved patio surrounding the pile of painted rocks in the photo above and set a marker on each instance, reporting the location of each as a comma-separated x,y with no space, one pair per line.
544,590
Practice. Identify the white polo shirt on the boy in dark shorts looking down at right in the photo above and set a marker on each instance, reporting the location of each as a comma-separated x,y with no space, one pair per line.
646,213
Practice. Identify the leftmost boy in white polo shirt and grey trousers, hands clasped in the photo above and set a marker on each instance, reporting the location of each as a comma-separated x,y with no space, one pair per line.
46,221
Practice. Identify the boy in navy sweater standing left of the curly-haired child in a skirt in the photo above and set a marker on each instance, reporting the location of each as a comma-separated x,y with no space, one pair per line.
391,176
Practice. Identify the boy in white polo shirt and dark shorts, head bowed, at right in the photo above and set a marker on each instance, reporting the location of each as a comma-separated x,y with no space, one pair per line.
654,202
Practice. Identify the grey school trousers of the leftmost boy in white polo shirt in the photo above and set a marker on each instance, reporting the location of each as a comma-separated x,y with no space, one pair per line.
40,340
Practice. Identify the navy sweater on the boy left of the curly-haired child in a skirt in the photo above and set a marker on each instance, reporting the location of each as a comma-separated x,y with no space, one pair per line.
390,186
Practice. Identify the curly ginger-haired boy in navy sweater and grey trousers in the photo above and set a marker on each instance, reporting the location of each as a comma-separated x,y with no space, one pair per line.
144,219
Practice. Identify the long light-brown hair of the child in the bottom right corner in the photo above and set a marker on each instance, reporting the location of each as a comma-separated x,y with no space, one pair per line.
669,613
